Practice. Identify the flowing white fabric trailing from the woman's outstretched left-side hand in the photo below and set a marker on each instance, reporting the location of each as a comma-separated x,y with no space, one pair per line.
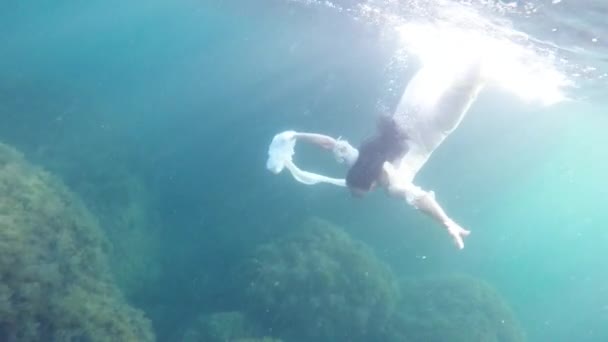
280,156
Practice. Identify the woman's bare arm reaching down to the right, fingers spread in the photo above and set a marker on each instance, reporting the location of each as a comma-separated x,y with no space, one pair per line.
425,202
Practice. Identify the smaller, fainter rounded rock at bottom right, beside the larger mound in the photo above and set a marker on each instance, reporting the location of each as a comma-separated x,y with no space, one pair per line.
453,308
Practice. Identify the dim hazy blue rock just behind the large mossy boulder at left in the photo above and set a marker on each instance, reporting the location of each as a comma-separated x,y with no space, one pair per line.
98,171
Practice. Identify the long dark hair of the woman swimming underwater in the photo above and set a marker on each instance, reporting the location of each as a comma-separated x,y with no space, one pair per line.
387,145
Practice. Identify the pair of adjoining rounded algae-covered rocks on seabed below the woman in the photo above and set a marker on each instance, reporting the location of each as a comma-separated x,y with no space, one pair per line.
319,284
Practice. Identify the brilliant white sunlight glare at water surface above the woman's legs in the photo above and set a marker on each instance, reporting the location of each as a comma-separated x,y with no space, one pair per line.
507,65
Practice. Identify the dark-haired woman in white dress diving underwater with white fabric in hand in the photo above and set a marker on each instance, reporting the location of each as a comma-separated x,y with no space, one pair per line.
434,103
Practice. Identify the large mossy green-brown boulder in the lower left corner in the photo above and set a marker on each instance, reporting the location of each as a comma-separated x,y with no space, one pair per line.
55,283
